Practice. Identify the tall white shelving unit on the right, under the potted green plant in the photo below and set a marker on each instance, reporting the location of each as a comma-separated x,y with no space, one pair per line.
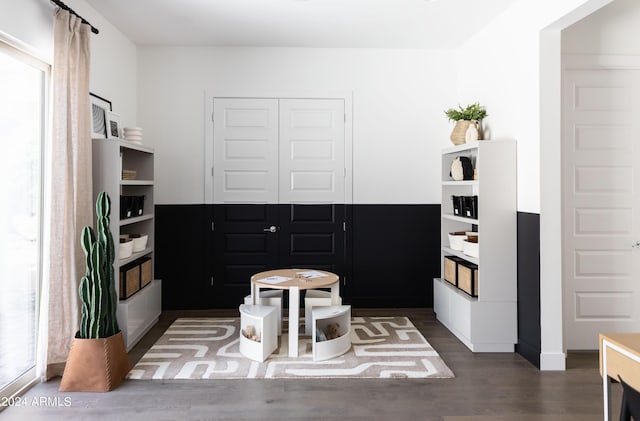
488,322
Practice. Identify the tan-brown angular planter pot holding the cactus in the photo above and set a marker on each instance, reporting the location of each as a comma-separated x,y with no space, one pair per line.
95,365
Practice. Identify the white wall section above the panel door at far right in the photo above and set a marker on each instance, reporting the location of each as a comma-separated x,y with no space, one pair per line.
612,30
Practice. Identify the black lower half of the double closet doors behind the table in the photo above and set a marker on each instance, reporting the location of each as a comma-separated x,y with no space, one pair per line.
253,238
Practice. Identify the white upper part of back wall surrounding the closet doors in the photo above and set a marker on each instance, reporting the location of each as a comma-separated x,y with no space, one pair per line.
398,100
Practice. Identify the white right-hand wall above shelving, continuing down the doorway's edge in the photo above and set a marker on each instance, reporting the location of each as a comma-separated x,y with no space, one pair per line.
517,75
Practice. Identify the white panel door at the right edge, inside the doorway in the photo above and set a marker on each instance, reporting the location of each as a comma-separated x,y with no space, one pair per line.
601,139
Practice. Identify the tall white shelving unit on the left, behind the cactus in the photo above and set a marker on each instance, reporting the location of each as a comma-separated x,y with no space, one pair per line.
138,313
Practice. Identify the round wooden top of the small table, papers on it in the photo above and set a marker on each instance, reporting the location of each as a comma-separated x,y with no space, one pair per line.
301,278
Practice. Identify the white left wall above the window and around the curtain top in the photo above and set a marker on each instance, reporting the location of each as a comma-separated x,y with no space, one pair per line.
113,56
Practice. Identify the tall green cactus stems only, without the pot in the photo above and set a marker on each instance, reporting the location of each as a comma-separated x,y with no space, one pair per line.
97,287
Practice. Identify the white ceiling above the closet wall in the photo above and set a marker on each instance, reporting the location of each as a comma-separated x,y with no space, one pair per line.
430,24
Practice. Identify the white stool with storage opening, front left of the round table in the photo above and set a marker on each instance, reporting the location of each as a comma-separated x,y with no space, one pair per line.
261,322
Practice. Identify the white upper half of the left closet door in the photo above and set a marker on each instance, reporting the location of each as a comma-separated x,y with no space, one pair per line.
245,153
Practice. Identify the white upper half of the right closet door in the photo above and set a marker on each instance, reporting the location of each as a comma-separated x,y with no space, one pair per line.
312,143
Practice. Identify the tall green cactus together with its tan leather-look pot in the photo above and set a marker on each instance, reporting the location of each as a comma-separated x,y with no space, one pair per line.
98,360
